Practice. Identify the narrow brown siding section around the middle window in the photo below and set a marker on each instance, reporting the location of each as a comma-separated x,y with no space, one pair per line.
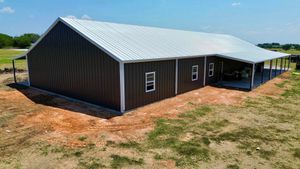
185,82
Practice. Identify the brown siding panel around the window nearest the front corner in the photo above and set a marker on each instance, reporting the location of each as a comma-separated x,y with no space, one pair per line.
135,94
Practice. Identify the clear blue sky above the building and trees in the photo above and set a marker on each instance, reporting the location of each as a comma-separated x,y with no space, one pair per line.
253,20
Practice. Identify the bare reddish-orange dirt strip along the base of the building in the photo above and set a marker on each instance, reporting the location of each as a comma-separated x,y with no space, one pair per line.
62,121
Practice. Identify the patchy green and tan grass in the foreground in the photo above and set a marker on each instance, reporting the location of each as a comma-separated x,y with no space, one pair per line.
263,132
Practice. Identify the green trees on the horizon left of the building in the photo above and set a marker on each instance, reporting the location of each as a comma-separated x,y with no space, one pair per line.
23,41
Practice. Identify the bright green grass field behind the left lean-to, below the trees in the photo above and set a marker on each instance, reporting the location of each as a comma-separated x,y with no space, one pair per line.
5,59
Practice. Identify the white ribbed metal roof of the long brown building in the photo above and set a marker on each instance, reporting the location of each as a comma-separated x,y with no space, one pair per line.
130,43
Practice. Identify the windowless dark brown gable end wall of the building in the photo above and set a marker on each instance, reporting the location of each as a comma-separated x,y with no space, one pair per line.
66,63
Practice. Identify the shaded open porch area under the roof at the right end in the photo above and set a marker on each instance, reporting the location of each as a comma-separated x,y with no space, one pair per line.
247,76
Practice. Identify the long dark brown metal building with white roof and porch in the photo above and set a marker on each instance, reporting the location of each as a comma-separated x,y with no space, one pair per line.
123,66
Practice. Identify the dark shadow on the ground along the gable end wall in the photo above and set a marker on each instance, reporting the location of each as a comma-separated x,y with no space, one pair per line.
53,100
